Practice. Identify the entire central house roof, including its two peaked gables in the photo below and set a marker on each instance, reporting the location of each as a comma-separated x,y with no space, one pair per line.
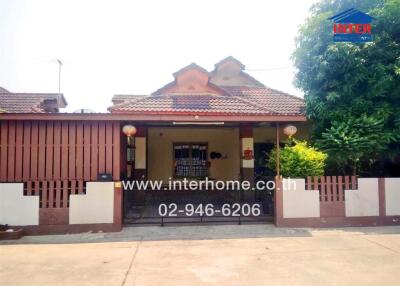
193,92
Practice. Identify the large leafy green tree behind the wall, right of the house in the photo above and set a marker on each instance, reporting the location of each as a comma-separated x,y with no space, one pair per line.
352,83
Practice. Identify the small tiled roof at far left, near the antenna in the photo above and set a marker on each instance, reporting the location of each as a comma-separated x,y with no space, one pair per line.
31,102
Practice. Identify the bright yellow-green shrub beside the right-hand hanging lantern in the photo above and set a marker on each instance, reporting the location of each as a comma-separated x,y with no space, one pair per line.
298,160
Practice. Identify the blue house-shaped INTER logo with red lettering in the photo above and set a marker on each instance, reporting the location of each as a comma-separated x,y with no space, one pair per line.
352,26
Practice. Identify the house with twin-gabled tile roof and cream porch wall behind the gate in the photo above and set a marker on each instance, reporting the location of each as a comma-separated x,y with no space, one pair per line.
224,109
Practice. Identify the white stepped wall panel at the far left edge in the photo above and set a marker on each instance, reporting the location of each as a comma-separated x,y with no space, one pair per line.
15,208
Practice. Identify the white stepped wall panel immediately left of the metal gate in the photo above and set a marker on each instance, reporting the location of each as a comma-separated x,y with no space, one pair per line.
97,206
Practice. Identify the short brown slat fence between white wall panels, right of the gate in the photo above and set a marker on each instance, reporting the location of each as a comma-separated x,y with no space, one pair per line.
331,188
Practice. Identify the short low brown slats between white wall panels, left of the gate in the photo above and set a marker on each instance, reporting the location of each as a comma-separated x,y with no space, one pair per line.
54,194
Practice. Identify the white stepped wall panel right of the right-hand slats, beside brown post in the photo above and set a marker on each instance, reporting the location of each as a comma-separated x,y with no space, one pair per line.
365,200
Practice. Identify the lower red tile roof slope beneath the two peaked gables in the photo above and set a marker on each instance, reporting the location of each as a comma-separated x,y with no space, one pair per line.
238,101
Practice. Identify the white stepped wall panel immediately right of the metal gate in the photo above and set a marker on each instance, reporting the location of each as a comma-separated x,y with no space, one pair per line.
297,202
